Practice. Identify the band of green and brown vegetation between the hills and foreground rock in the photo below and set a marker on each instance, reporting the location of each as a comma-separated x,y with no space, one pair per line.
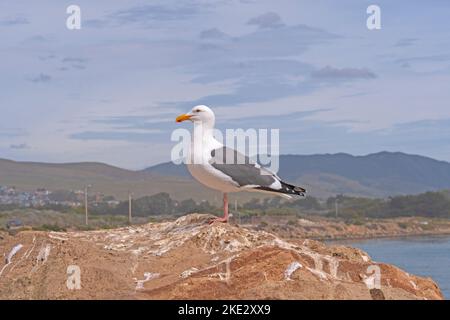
352,210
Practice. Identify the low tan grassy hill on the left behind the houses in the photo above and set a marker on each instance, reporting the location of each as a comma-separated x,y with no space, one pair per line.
106,179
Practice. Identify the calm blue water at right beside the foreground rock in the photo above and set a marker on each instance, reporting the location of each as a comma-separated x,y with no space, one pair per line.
422,256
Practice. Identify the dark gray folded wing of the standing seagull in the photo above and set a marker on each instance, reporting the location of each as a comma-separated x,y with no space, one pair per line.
241,168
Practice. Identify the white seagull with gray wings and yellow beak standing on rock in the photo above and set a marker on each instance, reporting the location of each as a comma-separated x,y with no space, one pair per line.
221,168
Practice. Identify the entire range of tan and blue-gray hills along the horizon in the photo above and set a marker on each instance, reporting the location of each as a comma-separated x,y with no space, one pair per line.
375,175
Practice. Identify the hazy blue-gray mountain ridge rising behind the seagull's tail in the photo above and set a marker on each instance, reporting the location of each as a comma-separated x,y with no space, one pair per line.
375,175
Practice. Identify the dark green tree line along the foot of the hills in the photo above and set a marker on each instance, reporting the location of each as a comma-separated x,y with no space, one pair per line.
429,204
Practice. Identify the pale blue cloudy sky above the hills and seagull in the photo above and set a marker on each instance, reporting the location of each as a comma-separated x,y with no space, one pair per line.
110,91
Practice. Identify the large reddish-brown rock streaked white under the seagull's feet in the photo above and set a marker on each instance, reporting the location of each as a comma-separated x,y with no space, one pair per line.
196,260
